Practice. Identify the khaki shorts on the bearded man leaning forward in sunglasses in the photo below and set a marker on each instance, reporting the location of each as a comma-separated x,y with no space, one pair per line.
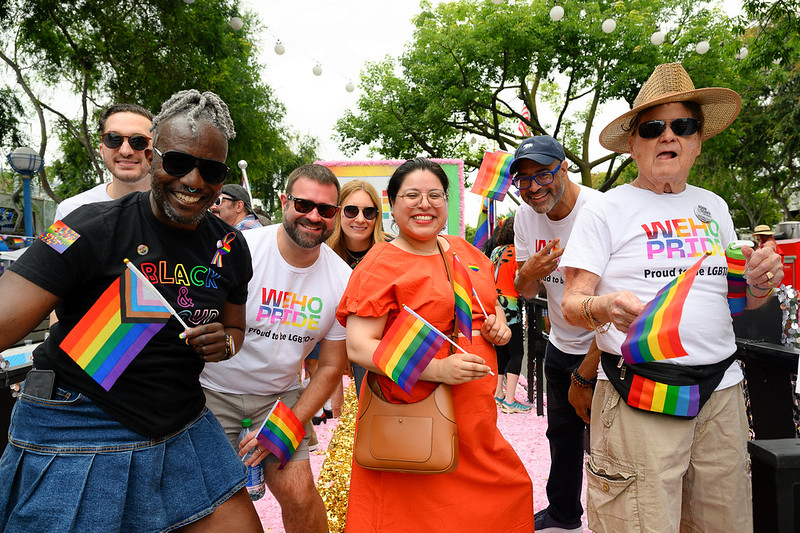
231,409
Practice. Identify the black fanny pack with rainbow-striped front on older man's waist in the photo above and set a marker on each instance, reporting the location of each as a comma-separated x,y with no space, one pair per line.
675,390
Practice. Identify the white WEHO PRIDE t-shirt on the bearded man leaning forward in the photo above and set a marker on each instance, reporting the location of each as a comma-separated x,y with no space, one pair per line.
289,310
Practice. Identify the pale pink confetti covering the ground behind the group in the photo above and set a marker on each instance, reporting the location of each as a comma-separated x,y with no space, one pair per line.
525,432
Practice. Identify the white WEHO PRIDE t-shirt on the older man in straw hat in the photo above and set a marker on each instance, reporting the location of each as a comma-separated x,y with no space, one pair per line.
639,241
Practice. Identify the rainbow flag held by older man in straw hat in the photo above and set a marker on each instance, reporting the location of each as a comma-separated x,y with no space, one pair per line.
654,335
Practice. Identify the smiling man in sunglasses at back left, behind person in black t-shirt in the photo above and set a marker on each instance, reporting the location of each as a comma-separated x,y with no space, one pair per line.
127,151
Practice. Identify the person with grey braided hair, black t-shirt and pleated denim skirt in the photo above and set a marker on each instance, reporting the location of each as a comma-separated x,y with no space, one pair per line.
111,431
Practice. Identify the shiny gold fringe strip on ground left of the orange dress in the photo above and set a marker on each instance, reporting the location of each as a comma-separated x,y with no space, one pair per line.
334,476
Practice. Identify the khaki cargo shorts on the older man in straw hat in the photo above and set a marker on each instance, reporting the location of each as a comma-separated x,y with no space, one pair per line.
656,473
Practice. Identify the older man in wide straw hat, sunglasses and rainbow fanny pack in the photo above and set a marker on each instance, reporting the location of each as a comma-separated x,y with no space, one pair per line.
669,430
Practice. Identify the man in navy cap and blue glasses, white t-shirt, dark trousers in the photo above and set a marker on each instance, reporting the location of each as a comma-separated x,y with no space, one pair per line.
542,227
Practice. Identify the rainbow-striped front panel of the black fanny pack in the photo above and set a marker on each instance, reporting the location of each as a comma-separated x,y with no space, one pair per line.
676,400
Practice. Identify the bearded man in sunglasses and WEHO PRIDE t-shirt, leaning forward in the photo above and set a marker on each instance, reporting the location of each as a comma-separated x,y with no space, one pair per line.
291,305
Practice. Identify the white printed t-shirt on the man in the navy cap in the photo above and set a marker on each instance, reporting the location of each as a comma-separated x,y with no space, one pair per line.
532,232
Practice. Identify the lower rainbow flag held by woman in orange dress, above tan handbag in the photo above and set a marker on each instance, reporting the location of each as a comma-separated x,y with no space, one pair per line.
407,348
